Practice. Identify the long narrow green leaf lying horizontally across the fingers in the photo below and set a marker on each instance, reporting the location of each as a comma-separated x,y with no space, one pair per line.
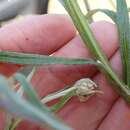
31,59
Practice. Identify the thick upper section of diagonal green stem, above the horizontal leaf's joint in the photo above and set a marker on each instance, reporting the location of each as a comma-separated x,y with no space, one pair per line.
83,26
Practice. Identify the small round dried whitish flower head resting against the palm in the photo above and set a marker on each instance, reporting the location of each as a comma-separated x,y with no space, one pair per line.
86,88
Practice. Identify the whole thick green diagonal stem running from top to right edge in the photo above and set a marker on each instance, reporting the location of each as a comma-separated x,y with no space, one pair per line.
85,32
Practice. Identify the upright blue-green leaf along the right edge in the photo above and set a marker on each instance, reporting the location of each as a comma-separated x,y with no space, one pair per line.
124,37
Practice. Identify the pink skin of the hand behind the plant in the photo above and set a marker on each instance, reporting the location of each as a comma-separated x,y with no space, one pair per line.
56,34
